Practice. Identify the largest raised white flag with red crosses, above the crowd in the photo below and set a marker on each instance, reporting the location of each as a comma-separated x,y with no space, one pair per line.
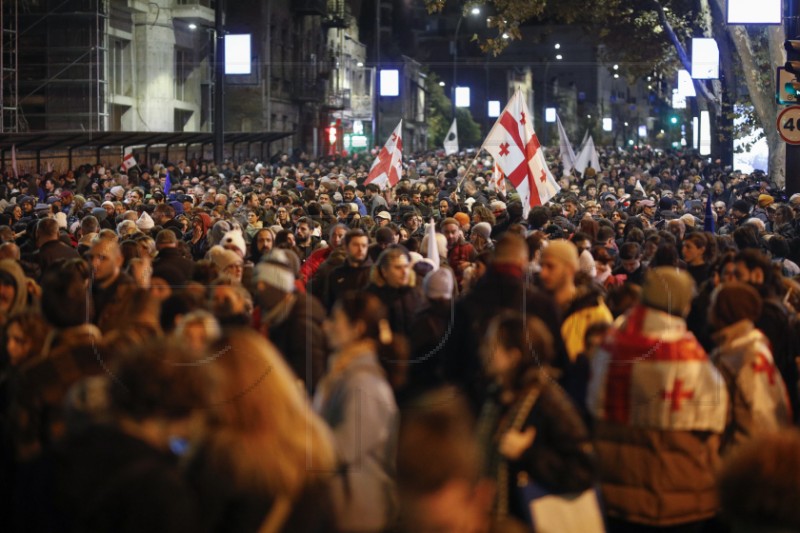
516,150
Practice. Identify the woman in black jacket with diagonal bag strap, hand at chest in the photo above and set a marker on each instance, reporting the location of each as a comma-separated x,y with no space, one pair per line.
529,426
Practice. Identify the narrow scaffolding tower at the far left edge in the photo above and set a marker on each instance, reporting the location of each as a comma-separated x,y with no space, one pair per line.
9,89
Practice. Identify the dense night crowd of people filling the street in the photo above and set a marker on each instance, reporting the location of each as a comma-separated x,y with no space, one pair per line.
281,346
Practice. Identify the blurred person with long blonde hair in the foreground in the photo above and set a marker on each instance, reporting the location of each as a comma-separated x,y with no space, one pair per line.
267,460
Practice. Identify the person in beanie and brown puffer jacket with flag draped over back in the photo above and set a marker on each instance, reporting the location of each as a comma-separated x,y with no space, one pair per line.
659,407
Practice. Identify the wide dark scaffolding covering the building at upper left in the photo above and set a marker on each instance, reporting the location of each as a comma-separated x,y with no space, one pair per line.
62,65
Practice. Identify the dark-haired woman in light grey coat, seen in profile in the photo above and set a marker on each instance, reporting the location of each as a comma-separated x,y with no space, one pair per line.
357,401
